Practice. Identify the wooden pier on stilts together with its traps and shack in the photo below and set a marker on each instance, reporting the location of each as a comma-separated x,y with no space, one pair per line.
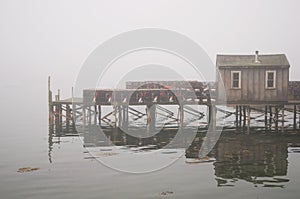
257,89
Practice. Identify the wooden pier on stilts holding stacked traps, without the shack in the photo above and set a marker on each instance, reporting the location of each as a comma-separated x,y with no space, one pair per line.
66,114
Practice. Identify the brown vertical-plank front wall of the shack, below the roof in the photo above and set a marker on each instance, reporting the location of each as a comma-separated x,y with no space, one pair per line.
253,84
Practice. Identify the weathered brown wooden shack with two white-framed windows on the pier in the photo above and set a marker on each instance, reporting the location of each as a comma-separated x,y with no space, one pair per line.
253,79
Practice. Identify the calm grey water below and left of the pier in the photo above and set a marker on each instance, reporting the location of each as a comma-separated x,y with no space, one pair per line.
240,166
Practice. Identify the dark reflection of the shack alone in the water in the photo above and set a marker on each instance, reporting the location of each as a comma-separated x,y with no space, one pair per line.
250,157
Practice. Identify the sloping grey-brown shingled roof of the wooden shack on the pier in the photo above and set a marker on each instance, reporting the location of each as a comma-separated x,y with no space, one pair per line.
249,60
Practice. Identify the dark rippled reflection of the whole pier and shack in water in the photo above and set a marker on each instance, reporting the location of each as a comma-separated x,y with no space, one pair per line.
256,158
